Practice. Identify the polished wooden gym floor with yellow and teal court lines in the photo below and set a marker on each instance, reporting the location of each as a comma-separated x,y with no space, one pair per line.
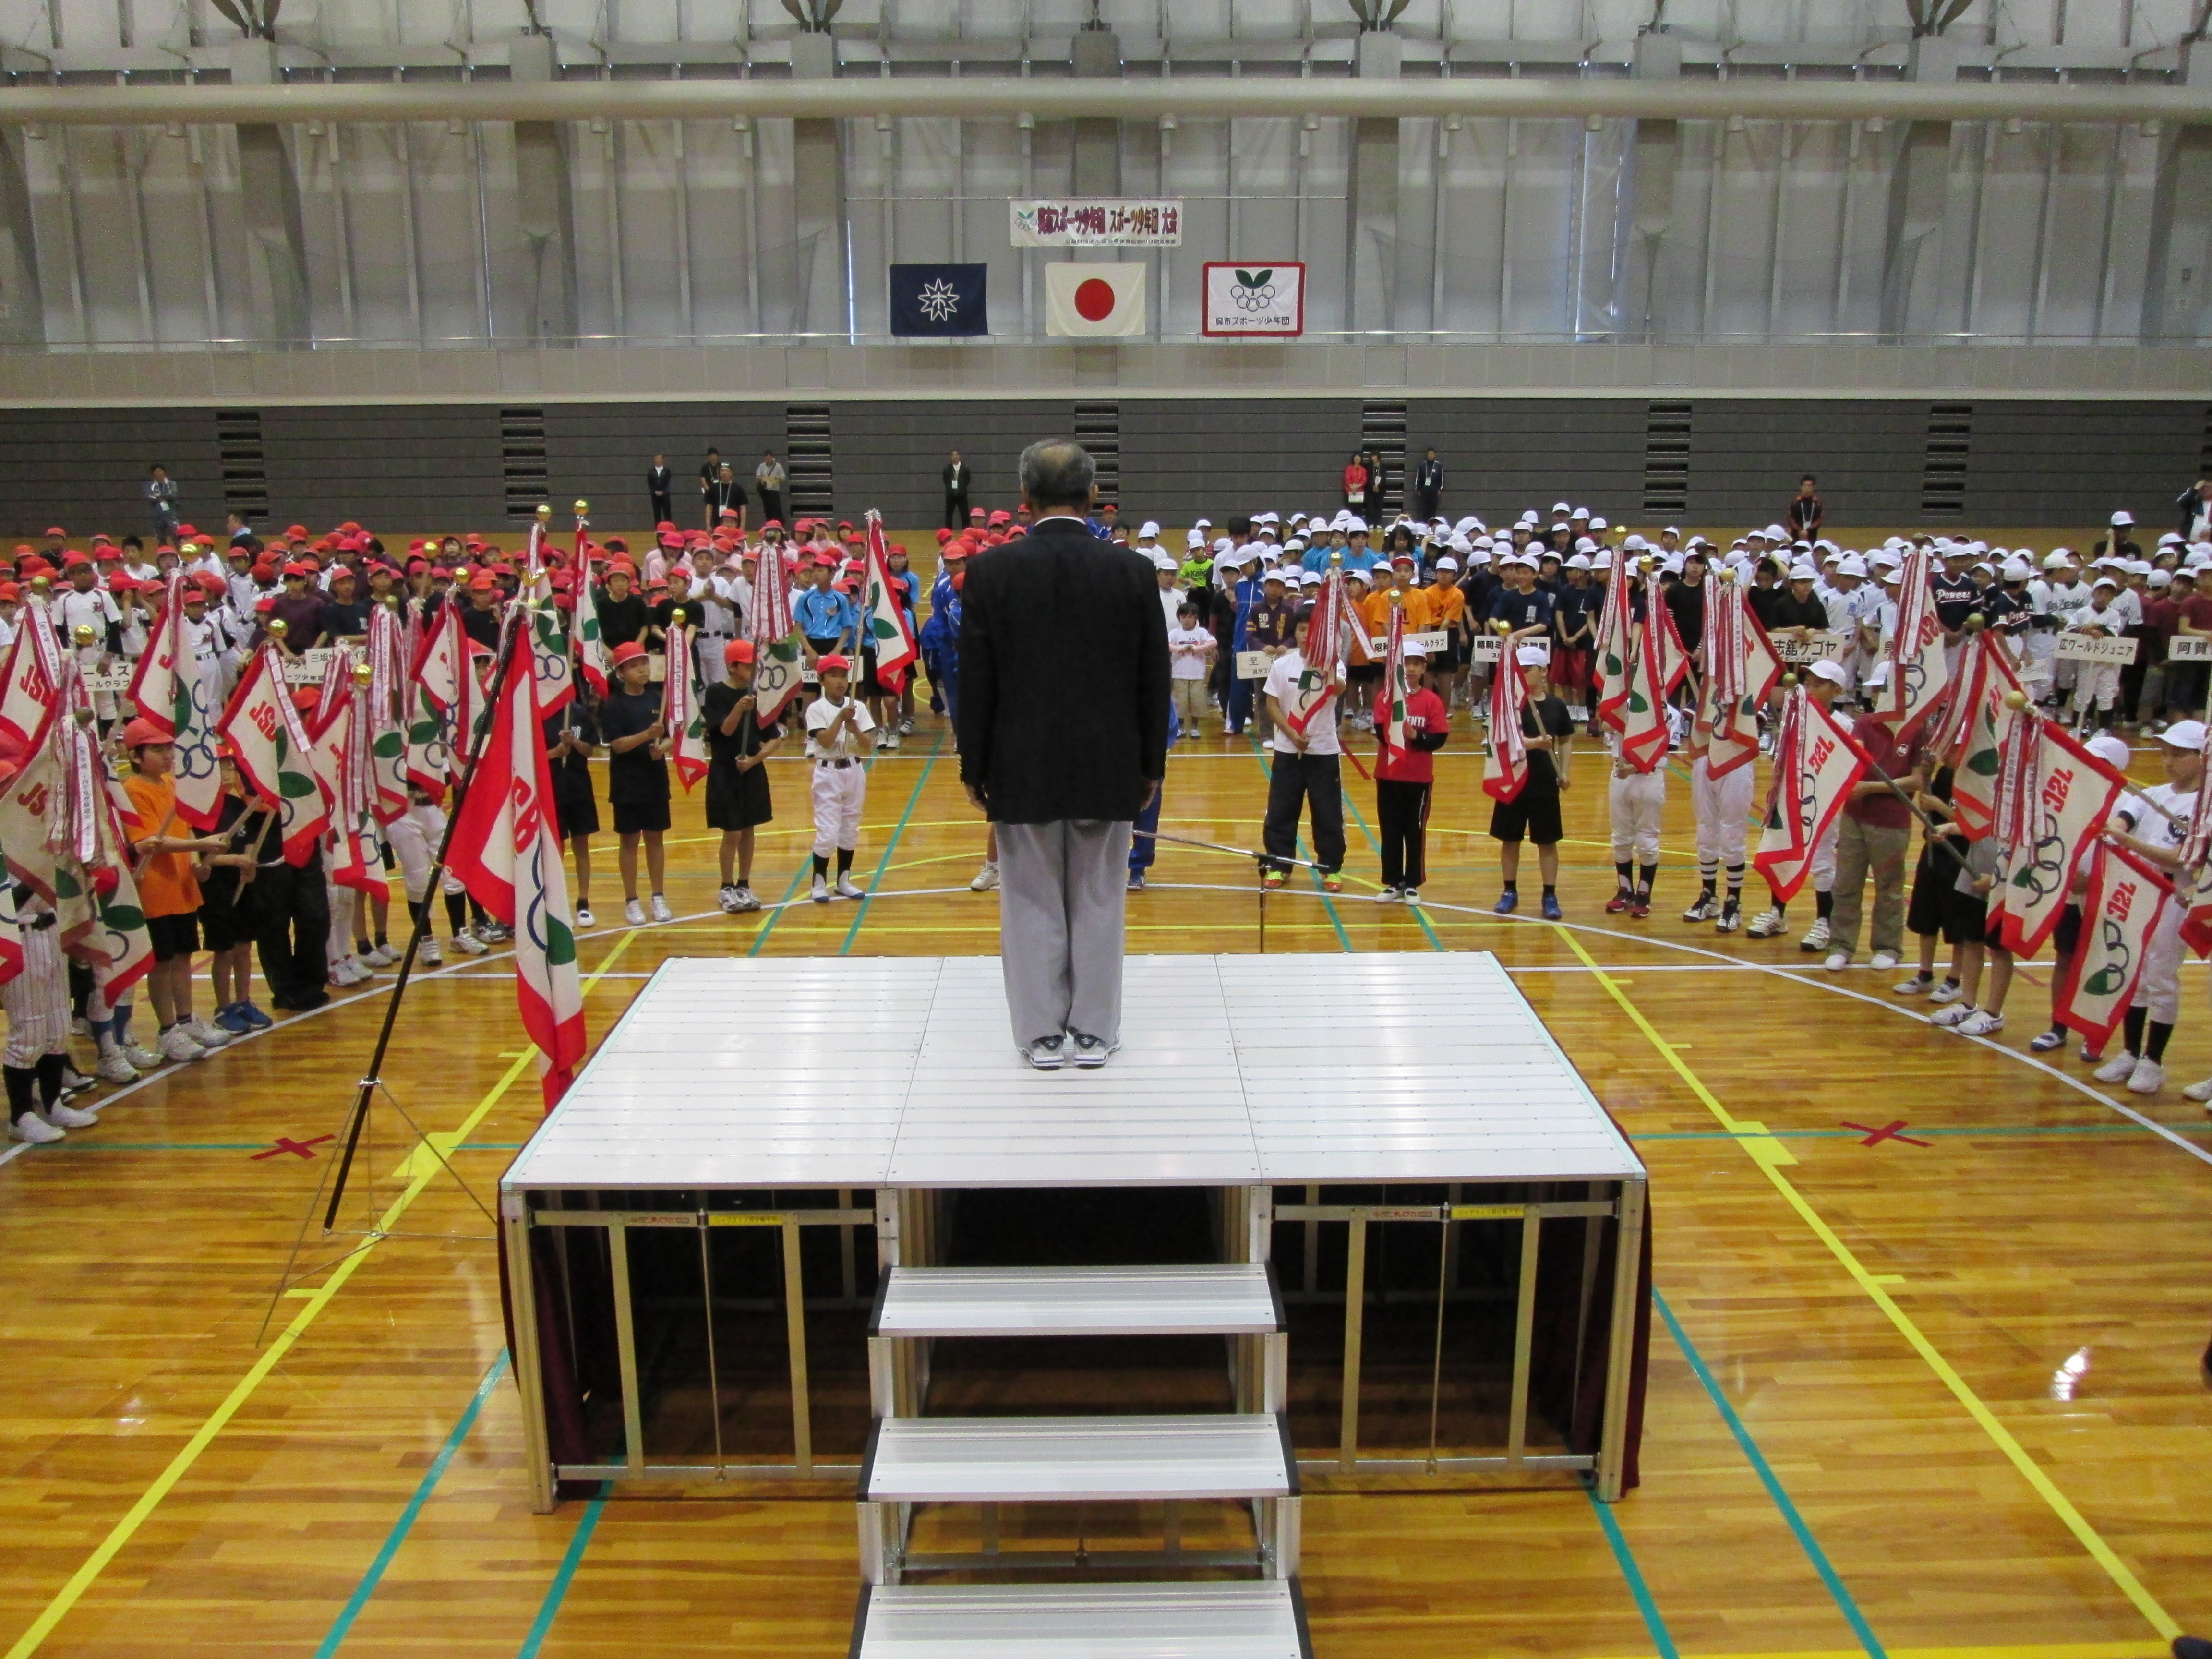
1923,1373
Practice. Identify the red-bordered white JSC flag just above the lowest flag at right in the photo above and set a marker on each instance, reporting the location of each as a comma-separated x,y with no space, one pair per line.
2052,802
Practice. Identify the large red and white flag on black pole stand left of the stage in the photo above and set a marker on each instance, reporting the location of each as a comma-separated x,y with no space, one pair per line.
505,853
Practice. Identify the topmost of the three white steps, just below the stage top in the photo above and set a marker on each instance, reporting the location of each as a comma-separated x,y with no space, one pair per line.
1078,1302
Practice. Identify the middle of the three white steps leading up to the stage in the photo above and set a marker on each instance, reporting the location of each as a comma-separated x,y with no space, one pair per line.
1012,1461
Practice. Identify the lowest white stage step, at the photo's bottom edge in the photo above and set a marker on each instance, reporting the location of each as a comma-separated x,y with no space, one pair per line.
1238,1620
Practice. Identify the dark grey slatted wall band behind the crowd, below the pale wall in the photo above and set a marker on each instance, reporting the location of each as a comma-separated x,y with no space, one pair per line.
413,470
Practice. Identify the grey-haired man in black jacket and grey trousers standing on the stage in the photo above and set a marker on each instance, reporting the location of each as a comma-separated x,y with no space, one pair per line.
1063,742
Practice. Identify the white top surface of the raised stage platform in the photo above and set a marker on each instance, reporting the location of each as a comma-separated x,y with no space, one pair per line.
1235,1072
